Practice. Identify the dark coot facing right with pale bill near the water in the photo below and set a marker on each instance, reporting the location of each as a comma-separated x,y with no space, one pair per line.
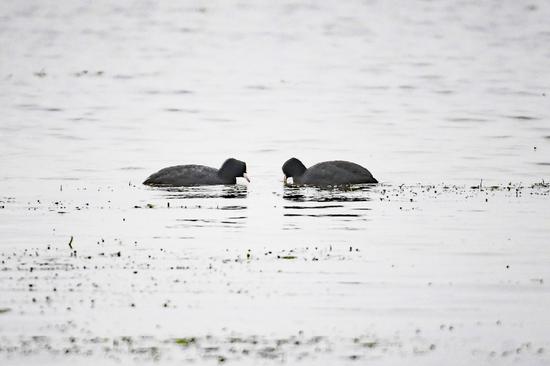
194,175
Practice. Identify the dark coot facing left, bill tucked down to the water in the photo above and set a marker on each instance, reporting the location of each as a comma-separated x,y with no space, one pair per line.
331,173
